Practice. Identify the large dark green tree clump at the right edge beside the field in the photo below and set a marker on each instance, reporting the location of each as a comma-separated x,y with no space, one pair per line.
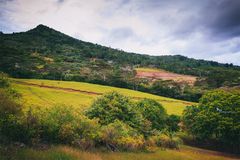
216,118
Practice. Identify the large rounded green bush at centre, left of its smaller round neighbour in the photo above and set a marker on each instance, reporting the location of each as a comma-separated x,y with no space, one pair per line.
114,106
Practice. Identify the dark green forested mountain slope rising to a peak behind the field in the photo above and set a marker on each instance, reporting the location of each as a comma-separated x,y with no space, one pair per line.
45,53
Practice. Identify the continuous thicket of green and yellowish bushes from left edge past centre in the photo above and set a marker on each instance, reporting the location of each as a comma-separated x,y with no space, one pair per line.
113,122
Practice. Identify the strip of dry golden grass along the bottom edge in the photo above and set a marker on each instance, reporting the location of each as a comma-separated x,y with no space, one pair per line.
68,153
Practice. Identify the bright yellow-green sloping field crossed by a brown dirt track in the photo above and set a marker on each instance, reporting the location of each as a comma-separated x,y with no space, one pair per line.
39,93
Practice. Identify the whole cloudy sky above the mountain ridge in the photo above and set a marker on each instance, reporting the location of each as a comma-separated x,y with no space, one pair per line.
202,29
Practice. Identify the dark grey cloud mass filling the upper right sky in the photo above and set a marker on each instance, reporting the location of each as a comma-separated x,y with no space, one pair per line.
220,19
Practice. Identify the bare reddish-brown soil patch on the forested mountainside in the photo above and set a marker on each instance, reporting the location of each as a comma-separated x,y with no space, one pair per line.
164,75
